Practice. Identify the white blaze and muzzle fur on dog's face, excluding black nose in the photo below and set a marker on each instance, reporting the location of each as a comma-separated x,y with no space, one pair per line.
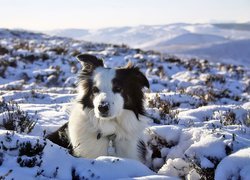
102,79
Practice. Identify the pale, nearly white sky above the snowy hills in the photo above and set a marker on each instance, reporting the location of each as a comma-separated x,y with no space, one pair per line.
93,14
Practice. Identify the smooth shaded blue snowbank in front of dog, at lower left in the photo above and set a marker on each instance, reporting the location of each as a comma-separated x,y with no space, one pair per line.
93,169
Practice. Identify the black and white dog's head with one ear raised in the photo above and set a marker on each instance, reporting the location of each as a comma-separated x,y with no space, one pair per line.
110,91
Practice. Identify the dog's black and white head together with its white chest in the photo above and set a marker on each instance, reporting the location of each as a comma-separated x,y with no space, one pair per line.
109,102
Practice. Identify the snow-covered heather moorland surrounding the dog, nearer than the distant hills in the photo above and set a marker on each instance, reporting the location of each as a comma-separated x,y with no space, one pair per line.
200,112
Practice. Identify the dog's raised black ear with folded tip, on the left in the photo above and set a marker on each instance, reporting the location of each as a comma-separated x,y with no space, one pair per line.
89,62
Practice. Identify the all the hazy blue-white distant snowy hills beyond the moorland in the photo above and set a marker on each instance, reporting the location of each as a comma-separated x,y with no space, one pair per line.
173,38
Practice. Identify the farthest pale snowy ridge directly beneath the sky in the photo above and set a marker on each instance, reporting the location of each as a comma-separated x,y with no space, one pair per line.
140,36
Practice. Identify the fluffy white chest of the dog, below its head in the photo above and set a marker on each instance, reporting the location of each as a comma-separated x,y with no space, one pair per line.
116,139
